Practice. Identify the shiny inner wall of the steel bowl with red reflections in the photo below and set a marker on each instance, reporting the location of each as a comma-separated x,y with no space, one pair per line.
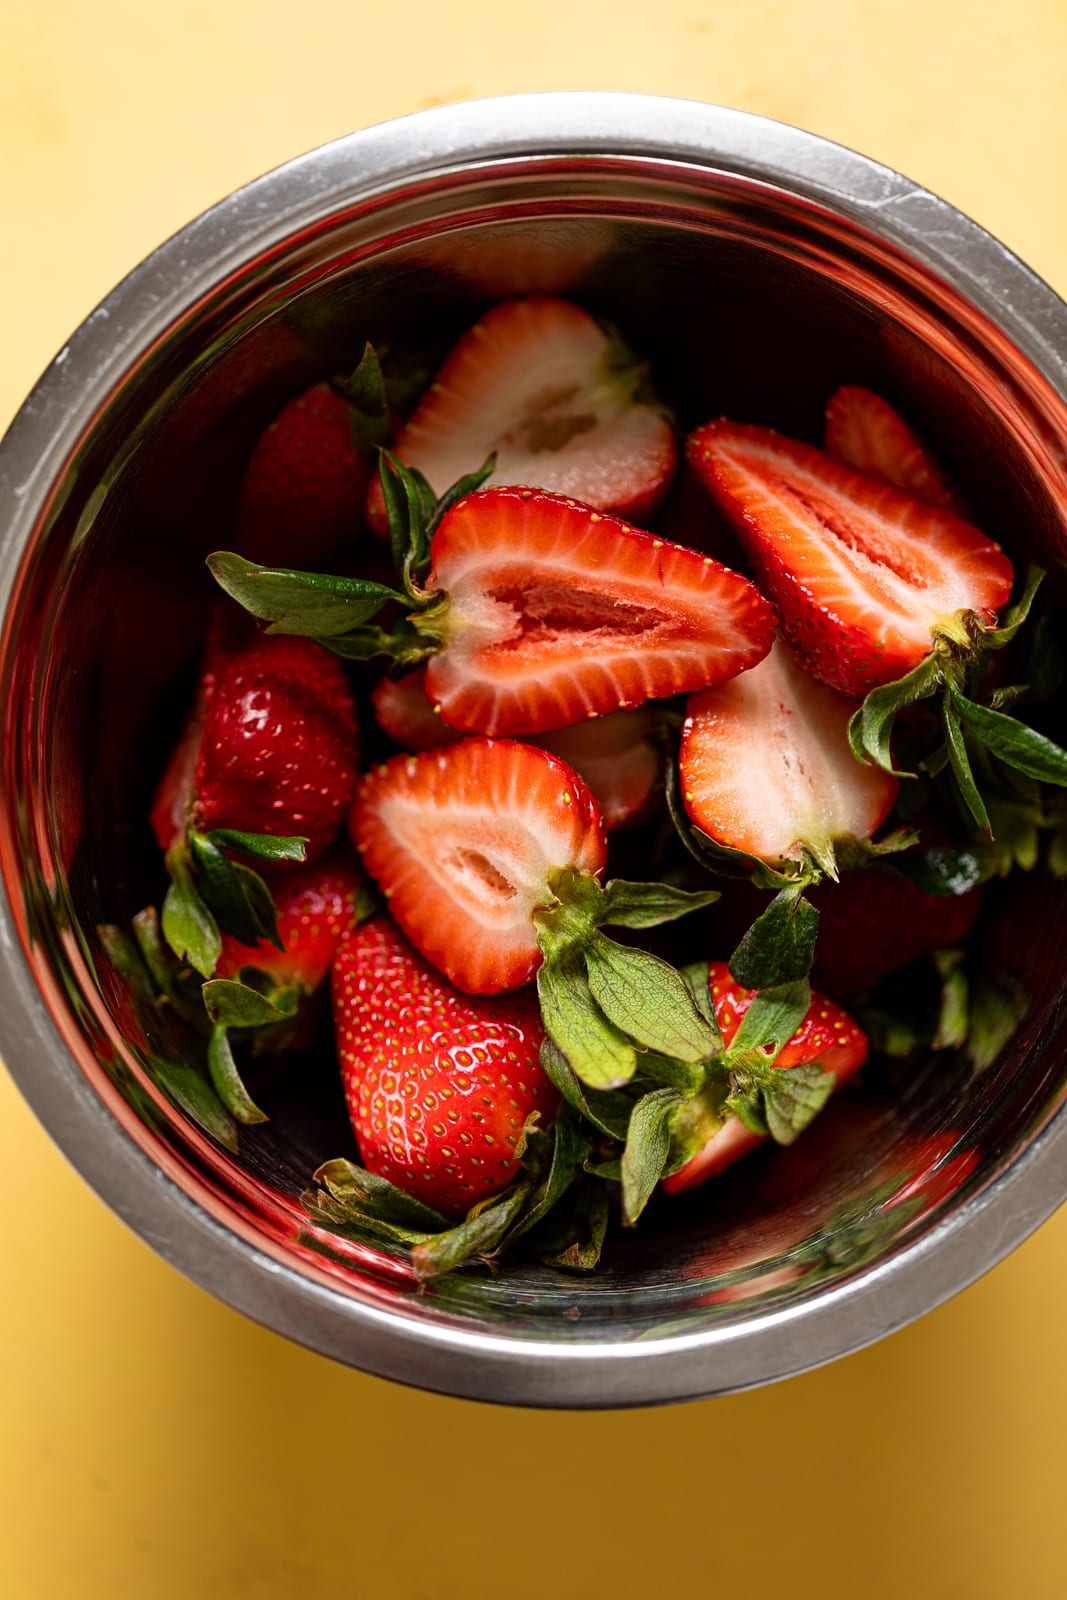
749,303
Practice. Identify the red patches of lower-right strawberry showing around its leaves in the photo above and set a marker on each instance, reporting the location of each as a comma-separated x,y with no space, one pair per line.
826,1036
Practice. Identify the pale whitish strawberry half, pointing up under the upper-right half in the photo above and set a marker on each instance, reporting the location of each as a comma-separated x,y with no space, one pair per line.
767,767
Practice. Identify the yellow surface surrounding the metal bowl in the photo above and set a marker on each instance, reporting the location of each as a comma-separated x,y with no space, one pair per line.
153,1442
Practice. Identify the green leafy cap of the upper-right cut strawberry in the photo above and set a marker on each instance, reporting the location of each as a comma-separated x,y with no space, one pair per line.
954,674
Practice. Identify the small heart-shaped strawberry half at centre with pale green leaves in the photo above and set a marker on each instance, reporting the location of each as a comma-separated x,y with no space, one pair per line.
490,857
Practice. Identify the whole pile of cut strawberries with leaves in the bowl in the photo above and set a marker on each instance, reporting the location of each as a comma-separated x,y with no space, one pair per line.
564,689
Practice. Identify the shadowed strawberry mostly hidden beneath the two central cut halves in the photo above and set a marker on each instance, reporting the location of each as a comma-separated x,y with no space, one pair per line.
618,756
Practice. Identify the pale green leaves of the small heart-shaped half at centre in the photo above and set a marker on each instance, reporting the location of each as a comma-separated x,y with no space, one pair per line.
604,1004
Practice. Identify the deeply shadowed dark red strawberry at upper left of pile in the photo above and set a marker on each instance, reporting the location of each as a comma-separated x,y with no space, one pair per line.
302,500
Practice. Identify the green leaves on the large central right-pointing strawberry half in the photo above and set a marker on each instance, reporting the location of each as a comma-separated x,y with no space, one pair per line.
340,612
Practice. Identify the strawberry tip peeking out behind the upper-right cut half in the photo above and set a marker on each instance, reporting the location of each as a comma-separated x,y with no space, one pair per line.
868,434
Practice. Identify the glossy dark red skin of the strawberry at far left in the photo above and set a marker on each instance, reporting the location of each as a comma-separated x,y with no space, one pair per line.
279,751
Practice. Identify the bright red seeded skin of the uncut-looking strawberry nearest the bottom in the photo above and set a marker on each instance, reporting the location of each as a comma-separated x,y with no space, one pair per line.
439,1086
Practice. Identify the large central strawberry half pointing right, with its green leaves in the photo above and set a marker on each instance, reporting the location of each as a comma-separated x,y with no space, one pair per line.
535,612
